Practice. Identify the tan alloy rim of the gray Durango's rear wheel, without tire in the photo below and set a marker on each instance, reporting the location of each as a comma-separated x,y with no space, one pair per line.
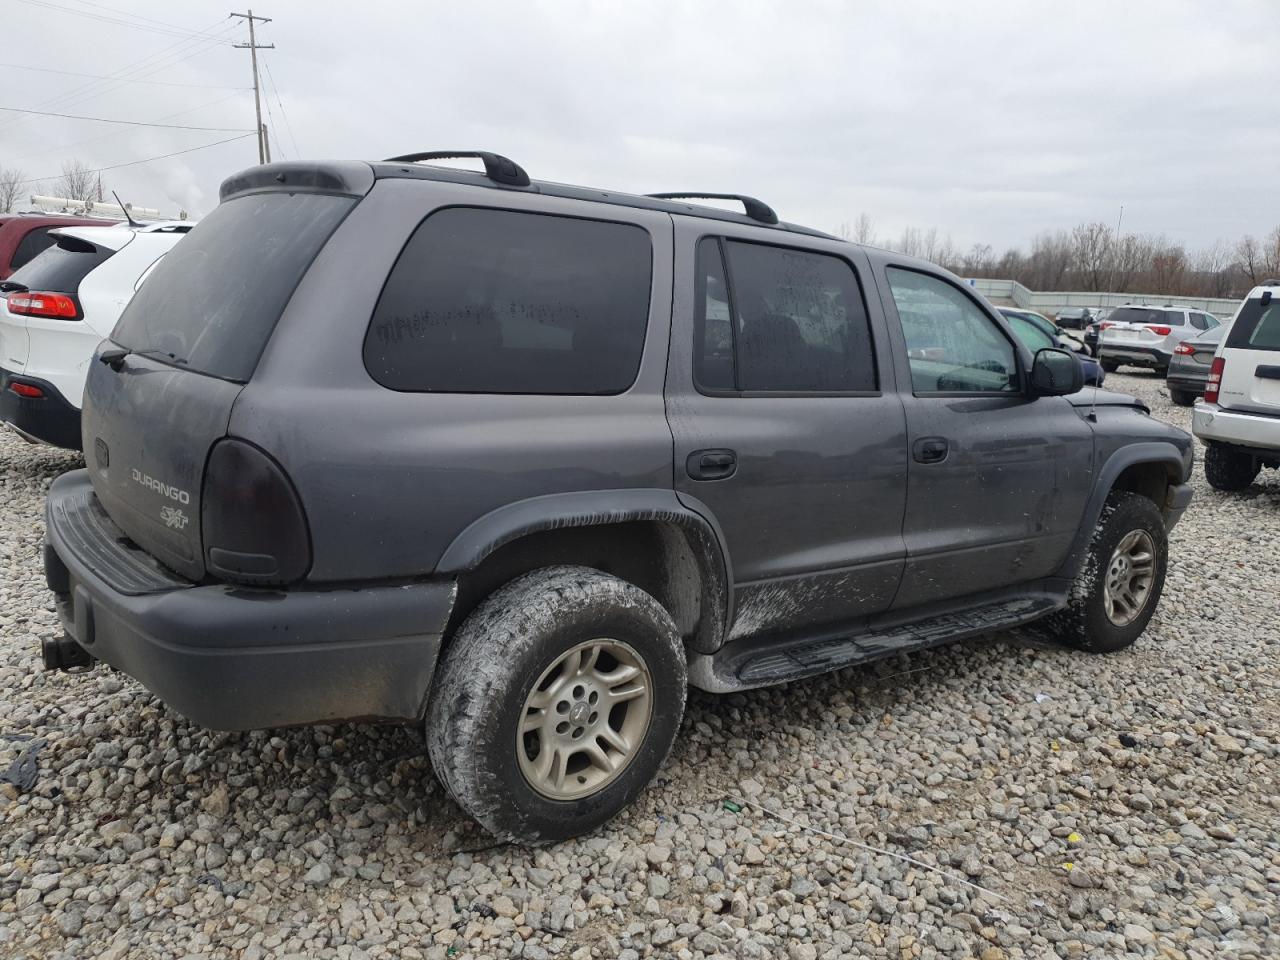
584,720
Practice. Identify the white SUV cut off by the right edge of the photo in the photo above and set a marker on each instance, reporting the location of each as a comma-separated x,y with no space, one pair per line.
1240,418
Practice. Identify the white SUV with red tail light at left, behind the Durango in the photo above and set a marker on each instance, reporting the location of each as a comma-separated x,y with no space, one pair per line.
57,309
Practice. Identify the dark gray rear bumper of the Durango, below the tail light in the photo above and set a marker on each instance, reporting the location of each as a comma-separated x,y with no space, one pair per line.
237,659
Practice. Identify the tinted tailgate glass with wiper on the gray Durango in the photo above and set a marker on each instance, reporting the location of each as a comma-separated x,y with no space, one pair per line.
216,299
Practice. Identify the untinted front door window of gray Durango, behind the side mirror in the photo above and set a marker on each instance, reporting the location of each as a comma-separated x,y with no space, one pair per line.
952,345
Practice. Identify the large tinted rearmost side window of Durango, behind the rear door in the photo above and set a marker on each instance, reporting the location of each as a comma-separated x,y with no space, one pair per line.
495,301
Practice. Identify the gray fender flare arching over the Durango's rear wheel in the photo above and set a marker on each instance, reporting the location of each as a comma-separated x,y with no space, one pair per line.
510,523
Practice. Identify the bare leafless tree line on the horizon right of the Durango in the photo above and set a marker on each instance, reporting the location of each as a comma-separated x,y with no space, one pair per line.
1092,257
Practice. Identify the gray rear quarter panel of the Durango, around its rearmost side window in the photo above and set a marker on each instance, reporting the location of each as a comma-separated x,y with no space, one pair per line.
390,479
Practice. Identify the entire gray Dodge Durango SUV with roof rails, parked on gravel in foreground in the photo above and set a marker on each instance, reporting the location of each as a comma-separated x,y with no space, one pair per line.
520,463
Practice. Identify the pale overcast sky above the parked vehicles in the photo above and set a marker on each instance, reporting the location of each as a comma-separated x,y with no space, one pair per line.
990,121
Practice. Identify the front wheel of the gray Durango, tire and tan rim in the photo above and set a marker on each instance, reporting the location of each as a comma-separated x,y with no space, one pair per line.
1118,589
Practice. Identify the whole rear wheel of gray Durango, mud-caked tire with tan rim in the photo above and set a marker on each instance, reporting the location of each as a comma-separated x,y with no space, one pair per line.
556,703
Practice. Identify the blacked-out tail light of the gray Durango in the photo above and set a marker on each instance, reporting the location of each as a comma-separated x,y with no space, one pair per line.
253,523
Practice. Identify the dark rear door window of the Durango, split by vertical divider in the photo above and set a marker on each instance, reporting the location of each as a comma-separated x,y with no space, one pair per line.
799,323
